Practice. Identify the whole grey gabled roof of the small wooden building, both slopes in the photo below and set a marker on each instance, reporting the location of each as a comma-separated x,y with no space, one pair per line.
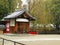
18,13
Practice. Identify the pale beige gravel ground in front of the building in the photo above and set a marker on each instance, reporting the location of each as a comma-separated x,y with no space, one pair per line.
28,39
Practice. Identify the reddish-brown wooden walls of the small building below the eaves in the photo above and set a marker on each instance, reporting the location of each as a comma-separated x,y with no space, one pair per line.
24,26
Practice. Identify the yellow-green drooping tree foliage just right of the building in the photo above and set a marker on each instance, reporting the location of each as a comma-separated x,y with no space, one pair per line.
40,10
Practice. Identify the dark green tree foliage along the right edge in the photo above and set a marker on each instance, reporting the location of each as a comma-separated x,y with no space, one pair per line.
55,12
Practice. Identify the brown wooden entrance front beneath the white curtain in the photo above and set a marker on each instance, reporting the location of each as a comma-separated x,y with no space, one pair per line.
22,27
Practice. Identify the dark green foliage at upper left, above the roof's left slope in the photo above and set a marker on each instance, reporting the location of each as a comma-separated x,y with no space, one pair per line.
6,7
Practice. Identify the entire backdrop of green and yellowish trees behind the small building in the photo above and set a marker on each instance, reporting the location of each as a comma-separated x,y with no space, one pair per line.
46,12
